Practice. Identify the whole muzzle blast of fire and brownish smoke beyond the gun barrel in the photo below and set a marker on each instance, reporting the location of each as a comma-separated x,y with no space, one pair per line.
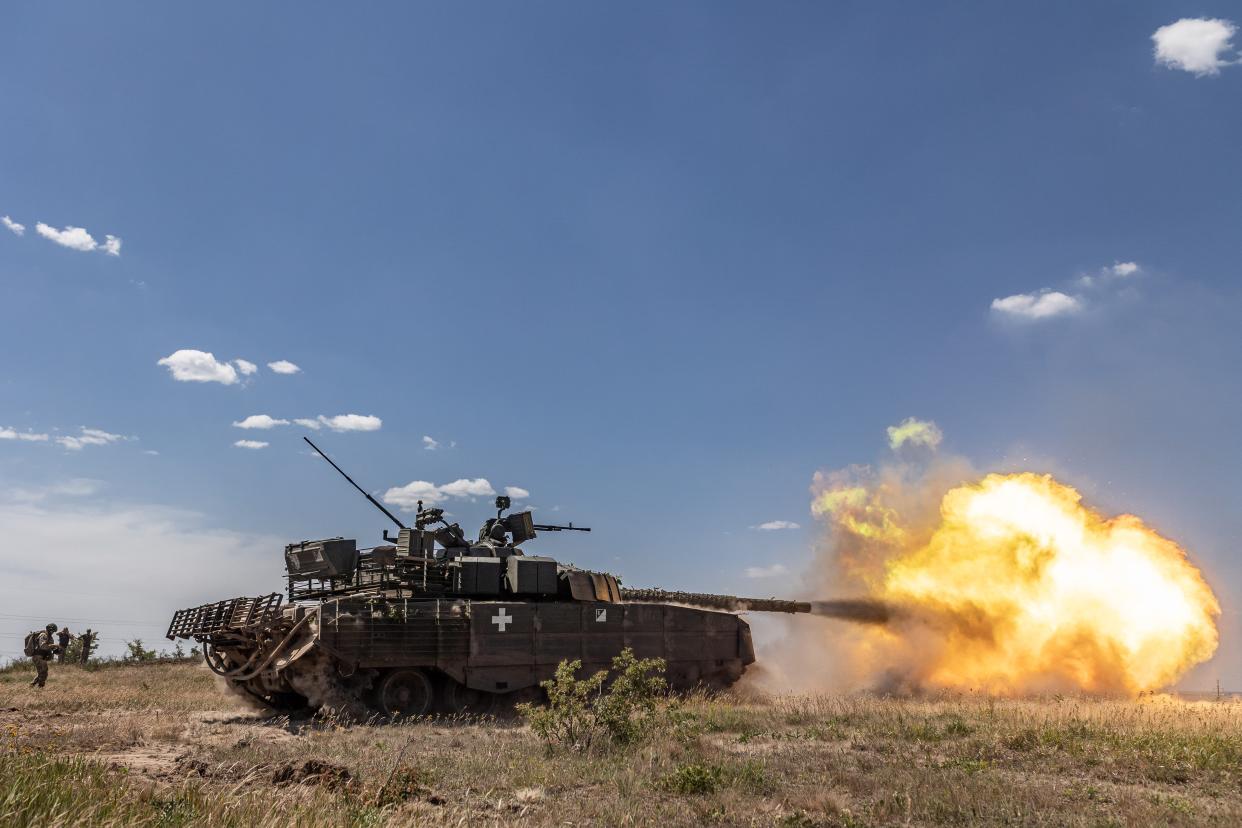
1004,584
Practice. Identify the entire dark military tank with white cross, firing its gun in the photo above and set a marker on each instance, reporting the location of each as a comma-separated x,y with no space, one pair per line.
432,621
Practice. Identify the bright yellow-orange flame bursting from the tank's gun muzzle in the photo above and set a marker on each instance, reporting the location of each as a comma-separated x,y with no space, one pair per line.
1020,588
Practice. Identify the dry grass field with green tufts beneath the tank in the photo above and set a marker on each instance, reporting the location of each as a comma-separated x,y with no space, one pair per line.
161,745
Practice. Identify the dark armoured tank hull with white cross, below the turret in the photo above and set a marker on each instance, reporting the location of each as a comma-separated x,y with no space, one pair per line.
371,655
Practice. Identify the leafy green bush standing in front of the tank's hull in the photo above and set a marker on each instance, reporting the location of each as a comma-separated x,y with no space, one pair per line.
582,713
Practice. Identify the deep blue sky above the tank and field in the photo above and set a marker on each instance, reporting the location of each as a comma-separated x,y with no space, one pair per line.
655,264
